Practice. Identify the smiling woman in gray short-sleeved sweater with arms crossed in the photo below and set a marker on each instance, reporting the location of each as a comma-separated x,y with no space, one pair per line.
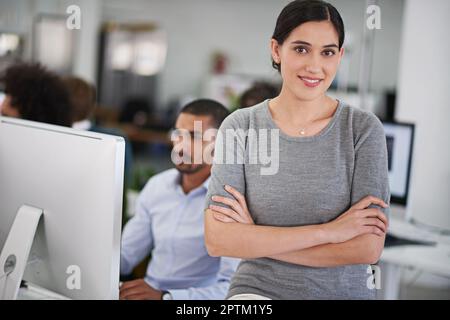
299,186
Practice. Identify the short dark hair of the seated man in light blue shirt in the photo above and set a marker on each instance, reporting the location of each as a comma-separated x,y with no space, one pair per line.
207,107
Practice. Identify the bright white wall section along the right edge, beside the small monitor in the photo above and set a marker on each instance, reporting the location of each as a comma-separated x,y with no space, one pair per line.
424,99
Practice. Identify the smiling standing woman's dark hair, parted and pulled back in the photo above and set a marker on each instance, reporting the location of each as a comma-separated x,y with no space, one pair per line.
301,11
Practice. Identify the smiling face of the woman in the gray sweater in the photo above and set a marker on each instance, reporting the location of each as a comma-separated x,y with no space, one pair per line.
309,58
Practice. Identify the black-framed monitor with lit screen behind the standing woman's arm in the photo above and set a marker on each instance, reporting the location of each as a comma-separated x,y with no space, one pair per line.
399,140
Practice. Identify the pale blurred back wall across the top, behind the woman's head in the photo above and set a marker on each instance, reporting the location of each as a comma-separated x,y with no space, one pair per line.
241,28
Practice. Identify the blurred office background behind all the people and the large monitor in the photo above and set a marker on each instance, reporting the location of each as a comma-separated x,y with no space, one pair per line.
148,58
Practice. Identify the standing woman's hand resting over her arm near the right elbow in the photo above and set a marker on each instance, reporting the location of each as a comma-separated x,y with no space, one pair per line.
358,220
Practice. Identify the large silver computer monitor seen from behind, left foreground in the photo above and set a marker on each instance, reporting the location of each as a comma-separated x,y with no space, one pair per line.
75,180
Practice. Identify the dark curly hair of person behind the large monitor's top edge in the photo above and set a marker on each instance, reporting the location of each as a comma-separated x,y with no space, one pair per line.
37,94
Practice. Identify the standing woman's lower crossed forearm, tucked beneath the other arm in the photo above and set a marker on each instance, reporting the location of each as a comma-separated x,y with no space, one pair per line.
364,249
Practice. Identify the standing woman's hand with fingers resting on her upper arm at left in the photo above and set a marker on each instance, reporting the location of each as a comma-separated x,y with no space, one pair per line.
237,211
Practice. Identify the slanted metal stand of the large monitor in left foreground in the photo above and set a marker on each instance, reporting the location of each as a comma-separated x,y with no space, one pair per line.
14,256
